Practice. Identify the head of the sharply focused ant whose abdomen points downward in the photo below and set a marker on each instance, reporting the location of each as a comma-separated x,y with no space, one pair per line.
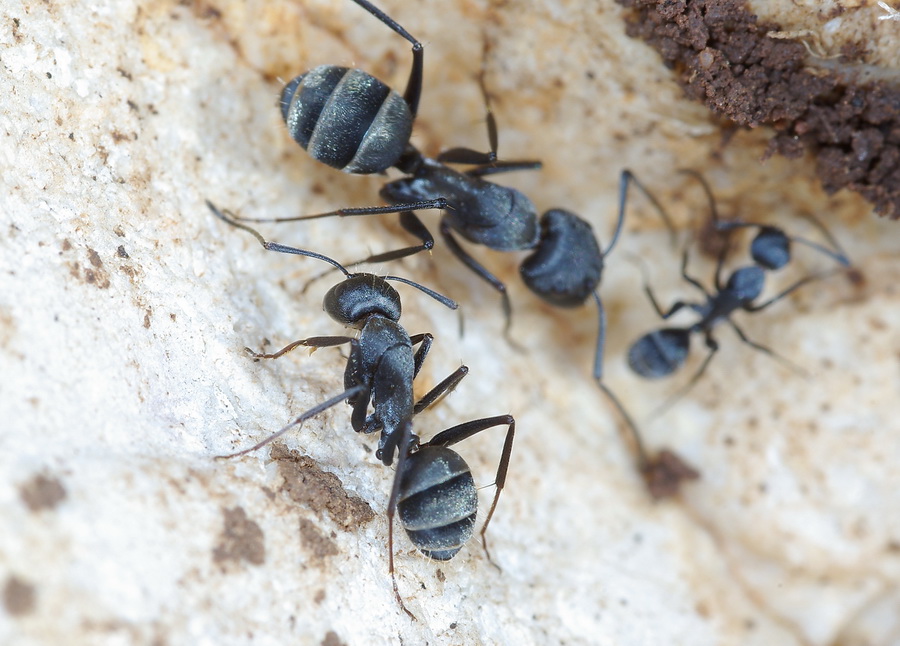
352,301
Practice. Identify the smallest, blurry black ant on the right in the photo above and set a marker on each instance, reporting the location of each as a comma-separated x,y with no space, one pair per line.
661,352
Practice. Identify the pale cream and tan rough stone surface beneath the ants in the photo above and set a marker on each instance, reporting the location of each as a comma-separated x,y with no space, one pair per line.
125,308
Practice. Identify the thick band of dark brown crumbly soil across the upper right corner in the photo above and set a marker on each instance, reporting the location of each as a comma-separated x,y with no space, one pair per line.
724,59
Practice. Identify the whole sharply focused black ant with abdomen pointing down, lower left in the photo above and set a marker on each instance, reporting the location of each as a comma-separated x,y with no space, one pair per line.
433,488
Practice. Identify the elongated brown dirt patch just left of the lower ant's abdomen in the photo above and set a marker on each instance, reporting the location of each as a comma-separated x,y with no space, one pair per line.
318,490
